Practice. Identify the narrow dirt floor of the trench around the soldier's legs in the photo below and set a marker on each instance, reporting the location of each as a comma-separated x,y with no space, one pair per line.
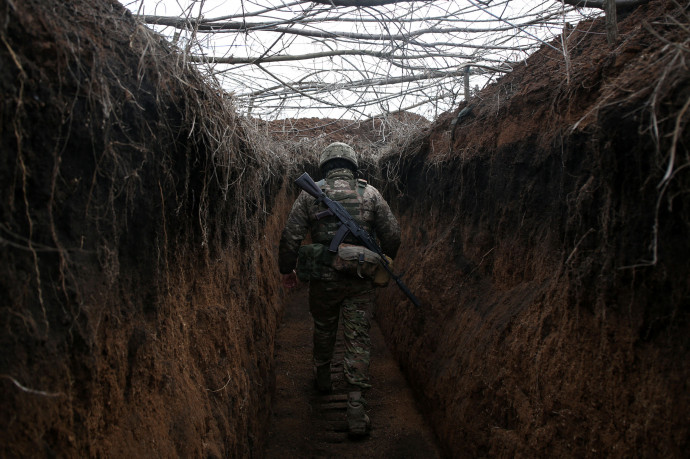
306,424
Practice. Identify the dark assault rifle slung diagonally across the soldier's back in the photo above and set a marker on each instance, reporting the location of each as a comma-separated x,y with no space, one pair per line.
349,226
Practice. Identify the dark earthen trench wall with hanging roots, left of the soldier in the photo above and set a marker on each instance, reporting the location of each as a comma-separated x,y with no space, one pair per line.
138,225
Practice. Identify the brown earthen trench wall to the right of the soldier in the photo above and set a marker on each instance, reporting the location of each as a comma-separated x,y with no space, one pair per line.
551,255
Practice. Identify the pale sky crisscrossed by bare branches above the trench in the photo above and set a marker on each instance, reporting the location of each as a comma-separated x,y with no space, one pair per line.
357,58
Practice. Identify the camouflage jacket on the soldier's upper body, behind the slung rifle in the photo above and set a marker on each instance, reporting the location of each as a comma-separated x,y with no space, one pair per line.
373,214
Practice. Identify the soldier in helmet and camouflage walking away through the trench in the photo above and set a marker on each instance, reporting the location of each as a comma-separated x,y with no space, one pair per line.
333,292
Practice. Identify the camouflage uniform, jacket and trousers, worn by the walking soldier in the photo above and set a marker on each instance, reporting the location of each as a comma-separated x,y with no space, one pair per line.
351,294
